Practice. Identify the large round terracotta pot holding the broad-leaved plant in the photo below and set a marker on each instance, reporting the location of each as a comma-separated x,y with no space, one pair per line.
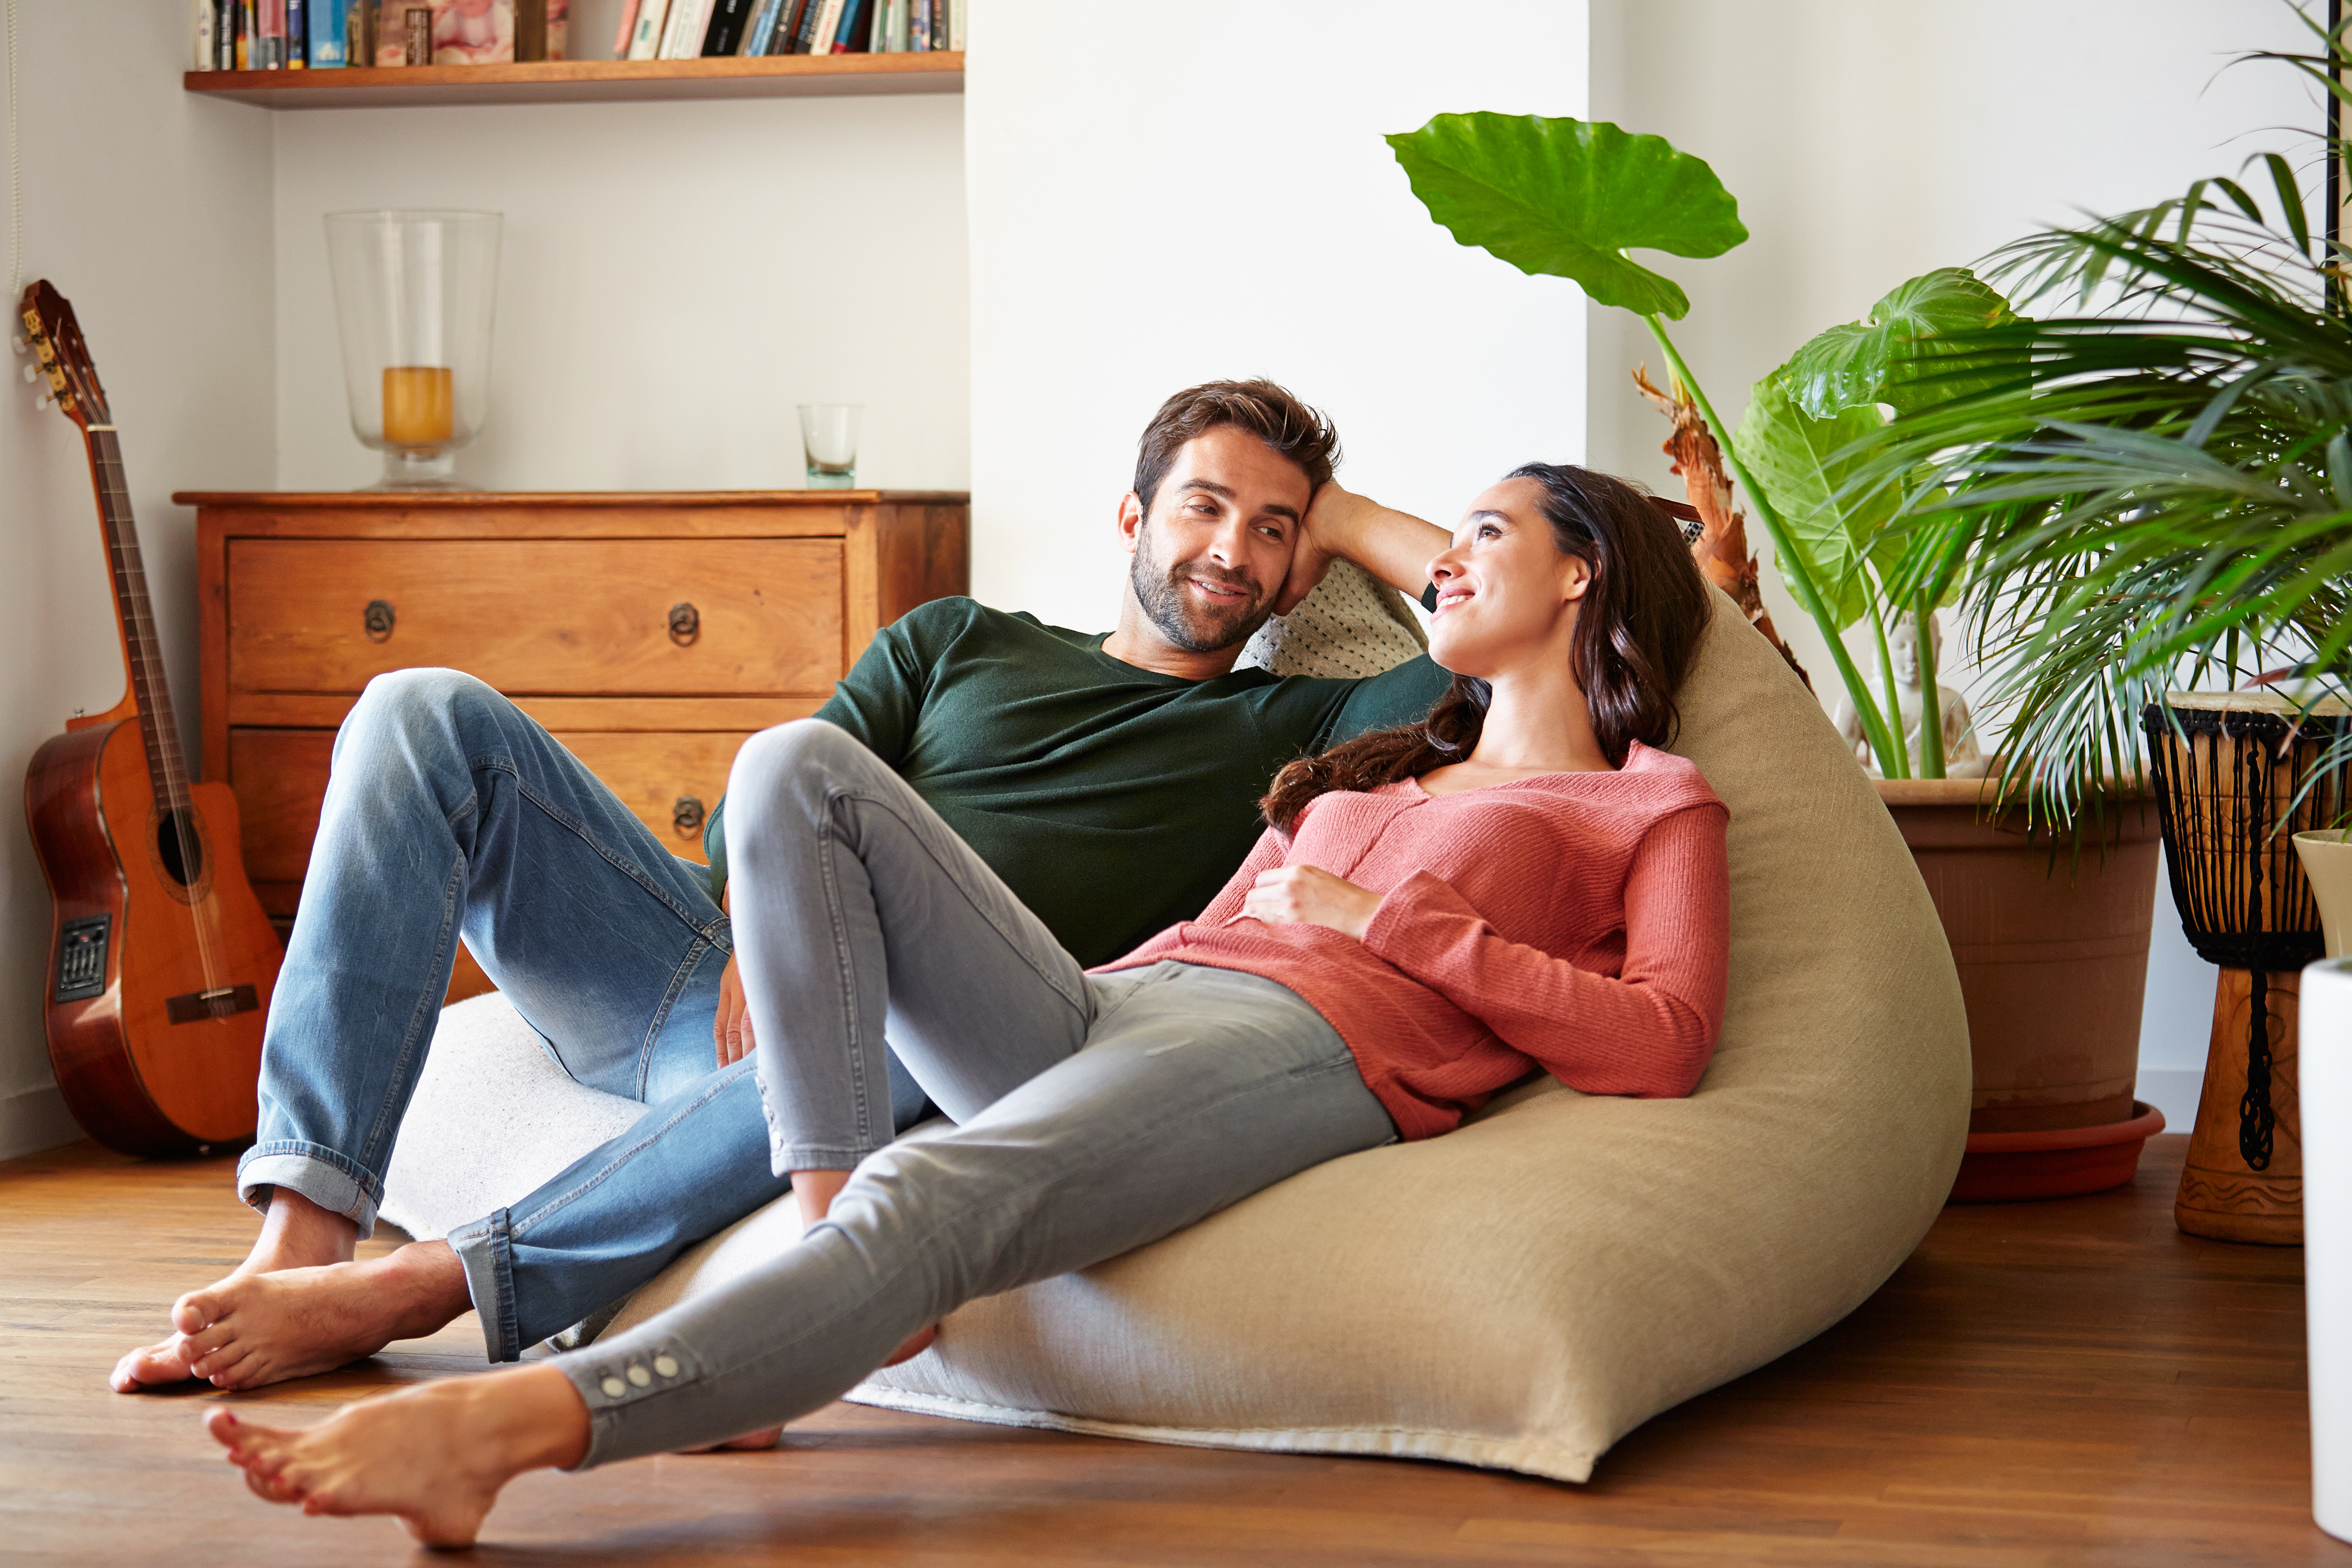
2052,949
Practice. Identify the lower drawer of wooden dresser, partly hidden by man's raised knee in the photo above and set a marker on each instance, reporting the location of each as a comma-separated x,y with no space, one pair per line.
281,782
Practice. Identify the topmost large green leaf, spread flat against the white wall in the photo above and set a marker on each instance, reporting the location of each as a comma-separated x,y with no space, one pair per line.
1568,199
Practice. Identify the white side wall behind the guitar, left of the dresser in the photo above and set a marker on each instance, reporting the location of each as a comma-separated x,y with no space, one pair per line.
149,210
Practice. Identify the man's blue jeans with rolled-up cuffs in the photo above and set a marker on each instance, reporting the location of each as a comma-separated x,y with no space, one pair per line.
453,815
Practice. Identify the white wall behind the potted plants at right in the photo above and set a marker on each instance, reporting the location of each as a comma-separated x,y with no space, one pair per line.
1871,142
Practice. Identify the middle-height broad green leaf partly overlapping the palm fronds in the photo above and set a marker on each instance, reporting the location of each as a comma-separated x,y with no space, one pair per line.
1895,356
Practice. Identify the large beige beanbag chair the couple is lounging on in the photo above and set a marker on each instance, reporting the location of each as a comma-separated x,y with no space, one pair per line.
1532,1287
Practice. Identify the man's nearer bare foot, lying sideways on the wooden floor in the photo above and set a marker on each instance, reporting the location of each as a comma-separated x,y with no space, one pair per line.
283,1325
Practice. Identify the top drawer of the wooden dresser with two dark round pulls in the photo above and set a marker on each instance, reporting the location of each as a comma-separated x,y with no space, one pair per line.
552,617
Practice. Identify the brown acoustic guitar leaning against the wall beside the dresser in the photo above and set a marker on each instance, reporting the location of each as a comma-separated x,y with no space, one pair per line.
161,963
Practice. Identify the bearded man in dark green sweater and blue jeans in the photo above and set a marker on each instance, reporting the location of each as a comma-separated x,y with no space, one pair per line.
1109,779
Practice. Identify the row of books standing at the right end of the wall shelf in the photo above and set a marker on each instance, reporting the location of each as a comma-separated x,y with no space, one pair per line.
700,29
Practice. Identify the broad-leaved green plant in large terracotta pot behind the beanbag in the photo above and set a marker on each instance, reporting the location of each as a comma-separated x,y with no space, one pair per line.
2052,949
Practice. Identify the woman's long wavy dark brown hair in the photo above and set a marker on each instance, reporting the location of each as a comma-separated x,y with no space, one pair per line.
1636,634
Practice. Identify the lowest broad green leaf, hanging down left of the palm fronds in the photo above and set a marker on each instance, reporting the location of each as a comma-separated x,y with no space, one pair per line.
1803,467
